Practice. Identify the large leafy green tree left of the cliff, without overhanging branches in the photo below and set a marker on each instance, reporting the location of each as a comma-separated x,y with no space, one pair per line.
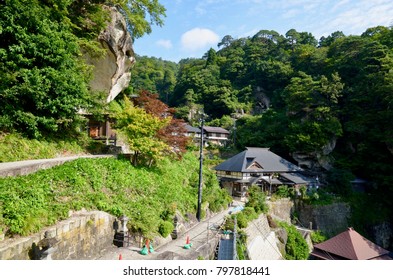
44,83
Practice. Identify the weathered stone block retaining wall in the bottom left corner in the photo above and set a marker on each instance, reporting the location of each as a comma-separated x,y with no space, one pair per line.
82,236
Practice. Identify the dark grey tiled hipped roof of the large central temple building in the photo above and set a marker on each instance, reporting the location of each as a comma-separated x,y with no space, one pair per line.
267,161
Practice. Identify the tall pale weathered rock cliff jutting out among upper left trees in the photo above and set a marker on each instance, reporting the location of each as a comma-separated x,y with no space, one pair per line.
111,73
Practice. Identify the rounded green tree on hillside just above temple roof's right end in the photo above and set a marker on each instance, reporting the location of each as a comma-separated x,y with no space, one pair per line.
313,120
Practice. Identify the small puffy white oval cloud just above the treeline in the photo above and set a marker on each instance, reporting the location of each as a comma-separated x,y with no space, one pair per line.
199,38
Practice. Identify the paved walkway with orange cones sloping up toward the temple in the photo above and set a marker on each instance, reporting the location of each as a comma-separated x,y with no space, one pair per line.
203,237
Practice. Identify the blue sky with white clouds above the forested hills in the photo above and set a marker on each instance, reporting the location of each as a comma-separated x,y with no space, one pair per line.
192,27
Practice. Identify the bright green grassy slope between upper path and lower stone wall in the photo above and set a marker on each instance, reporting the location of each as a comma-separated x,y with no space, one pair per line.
31,202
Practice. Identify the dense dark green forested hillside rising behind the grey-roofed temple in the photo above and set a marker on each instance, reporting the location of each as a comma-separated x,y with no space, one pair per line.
326,104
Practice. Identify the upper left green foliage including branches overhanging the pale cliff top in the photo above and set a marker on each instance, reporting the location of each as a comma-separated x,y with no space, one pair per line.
44,81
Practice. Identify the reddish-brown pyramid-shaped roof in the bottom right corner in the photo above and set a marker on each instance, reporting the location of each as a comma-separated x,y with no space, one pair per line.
349,245
